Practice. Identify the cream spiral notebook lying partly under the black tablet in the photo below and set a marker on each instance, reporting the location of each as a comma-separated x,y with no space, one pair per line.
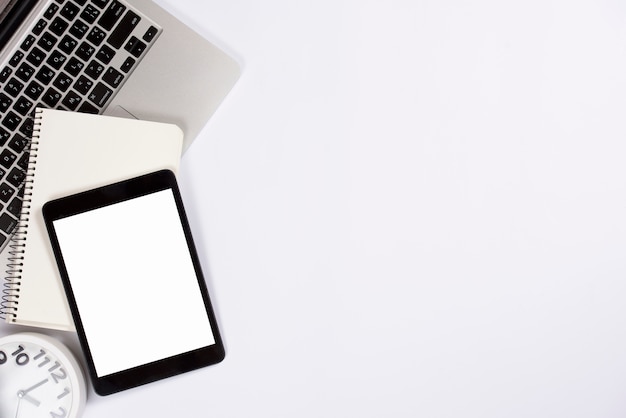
73,152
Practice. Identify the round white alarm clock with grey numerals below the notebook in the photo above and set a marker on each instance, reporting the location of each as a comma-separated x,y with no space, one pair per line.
39,377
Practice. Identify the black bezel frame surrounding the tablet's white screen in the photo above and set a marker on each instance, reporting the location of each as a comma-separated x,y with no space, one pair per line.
105,196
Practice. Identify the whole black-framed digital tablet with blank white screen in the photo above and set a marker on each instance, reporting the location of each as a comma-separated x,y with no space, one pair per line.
133,282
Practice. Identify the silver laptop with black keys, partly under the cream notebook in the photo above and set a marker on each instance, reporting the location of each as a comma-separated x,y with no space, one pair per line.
117,57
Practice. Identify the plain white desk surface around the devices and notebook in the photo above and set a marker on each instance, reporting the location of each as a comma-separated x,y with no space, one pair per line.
409,209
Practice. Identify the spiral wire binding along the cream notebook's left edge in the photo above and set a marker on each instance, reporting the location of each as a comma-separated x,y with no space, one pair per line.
9,302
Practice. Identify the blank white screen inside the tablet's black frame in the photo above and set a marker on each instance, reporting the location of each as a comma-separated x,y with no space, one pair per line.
134,282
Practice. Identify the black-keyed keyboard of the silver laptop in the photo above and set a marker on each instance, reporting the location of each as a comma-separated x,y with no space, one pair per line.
76,56
